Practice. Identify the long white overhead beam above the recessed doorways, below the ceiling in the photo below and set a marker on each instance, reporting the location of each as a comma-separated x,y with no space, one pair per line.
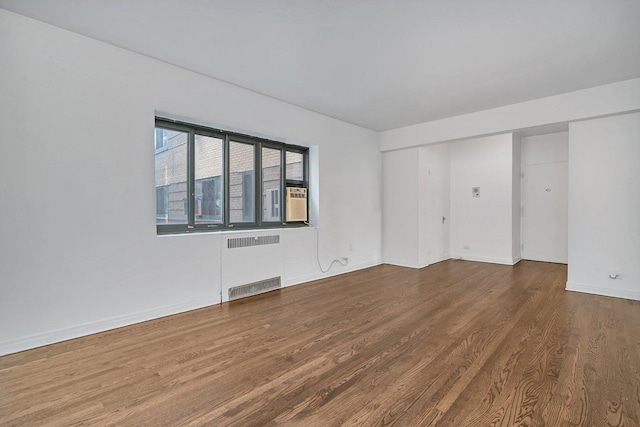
579,105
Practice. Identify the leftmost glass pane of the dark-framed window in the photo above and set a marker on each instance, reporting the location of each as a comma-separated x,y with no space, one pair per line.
171,178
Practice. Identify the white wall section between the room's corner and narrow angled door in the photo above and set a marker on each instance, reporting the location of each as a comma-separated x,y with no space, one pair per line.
401,187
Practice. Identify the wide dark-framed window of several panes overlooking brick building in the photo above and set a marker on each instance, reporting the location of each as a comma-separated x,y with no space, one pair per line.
210,179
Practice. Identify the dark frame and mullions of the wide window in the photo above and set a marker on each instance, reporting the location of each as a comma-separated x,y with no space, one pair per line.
227,137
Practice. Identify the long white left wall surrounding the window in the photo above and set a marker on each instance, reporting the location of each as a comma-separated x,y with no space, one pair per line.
78,244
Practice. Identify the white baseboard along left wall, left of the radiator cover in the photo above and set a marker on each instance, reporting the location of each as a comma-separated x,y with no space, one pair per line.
46,338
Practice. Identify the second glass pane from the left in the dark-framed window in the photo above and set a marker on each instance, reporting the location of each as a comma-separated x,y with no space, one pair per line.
208,205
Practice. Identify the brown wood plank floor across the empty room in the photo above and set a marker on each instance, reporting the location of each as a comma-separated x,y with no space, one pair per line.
457,343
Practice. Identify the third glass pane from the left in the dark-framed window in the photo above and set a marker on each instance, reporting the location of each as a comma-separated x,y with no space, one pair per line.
241,182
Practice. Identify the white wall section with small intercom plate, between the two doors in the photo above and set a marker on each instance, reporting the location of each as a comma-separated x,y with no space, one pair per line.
485,223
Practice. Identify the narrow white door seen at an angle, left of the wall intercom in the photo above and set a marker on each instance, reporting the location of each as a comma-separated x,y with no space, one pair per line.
438,213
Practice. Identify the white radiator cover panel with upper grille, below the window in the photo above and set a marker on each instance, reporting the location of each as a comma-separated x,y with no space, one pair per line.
250,257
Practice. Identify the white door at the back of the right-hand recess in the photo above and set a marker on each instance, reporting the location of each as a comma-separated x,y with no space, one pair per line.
544,221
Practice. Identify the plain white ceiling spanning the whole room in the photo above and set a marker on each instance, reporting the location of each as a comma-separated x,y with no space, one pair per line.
380,64
